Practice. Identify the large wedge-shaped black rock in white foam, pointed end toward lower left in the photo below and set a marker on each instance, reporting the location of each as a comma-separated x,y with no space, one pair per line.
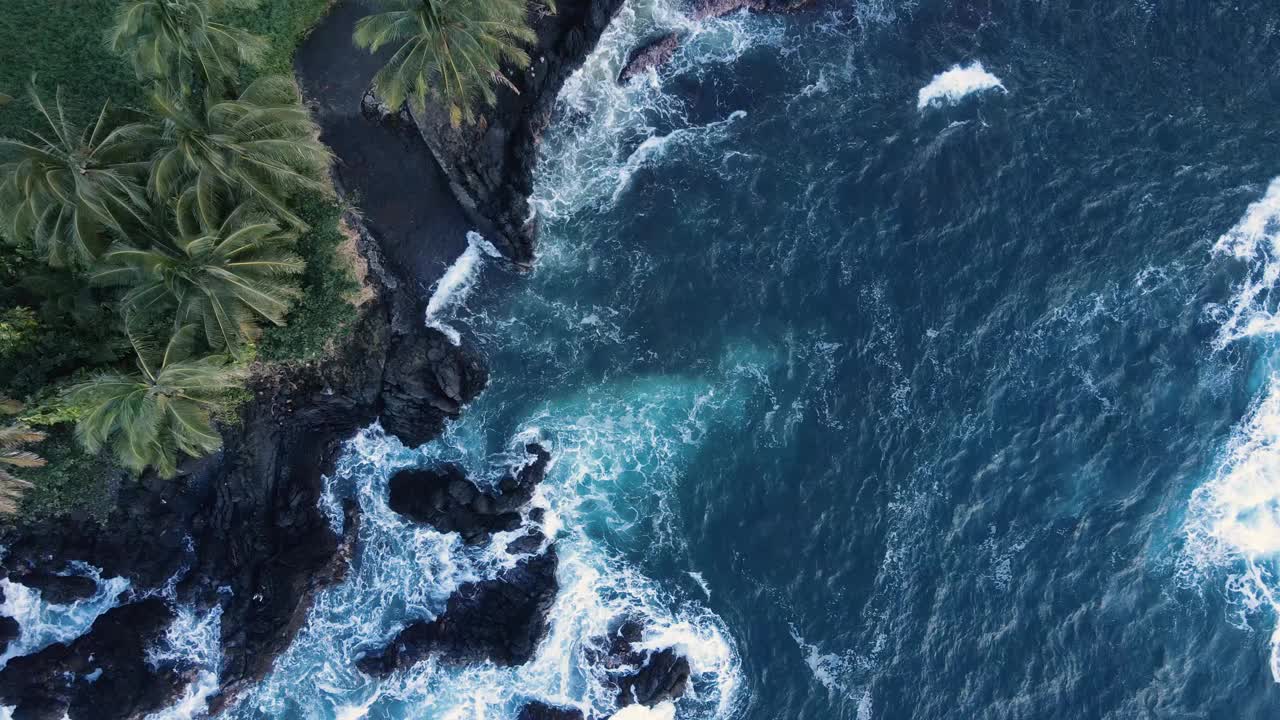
500,621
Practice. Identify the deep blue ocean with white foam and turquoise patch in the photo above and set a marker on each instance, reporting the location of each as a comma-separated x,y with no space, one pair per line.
898,361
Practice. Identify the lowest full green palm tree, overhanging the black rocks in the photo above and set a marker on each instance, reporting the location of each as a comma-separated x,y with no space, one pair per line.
152,416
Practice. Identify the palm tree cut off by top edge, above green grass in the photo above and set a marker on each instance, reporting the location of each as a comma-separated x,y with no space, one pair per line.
180,45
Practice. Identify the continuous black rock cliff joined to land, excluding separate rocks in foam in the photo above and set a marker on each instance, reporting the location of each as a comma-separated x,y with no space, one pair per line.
244,530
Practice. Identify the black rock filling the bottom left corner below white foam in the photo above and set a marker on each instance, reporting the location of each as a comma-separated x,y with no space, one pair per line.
102,676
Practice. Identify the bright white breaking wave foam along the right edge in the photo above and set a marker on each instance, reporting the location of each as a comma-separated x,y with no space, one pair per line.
1235,518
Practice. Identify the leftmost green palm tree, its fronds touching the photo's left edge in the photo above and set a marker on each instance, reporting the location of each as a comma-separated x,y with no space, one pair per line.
60,193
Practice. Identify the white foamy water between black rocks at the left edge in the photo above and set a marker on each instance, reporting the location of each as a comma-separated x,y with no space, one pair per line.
44,623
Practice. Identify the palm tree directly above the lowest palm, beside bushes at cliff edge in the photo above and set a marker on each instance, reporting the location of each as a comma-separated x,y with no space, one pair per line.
223,277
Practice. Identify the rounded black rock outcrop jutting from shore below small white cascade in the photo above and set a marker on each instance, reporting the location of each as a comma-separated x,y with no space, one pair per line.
428,381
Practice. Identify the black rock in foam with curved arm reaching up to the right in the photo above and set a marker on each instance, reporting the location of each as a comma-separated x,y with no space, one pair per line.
445,499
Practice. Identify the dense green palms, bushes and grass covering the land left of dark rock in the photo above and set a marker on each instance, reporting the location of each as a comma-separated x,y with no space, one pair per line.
161,180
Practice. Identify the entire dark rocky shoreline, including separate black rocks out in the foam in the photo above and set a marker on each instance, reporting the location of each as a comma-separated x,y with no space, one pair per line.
244,530
